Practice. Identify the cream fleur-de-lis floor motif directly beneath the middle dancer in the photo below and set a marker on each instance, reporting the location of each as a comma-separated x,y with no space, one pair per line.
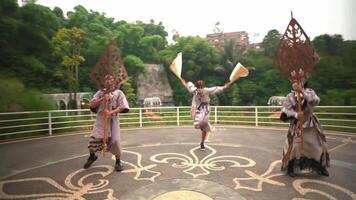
196,167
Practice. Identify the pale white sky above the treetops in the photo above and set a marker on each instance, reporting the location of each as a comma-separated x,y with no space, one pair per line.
257,17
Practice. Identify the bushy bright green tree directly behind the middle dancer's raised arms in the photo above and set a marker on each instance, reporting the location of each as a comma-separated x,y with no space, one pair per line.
200,60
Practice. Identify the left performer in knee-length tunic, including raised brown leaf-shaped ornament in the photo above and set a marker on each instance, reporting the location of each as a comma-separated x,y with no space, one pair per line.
109,73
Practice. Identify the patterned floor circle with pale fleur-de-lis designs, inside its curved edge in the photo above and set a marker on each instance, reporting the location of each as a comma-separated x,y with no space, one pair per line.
179,171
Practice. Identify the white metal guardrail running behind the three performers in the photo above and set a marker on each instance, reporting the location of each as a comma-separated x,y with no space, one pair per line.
339,118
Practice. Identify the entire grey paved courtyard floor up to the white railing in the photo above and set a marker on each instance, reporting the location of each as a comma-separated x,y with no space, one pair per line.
166,163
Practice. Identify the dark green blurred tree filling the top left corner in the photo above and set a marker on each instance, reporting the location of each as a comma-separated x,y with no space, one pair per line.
25,40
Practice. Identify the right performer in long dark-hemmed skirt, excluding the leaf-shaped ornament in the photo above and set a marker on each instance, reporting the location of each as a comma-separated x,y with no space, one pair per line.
314,155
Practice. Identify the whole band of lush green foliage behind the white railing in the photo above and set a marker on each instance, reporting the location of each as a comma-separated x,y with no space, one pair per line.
40,46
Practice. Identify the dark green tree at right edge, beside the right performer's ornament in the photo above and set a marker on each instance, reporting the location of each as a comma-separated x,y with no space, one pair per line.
333,78
